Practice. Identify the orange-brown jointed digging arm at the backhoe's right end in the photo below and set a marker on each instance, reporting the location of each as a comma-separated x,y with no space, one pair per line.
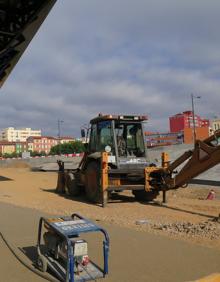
205,155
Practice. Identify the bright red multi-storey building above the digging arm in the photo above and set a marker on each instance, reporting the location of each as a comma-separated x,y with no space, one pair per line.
184,120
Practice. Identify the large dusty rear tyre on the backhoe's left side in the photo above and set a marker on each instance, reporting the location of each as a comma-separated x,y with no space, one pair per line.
93,182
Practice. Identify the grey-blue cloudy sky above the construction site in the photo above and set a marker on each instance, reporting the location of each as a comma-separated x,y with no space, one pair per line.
118,56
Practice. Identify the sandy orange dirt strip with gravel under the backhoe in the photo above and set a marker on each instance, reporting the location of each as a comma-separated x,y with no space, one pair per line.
186,216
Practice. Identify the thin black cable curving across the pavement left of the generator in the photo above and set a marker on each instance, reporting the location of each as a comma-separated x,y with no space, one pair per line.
30,267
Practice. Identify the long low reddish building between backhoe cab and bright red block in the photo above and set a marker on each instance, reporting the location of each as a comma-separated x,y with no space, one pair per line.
155,139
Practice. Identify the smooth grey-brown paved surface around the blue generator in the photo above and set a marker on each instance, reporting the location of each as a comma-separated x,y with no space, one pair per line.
134,256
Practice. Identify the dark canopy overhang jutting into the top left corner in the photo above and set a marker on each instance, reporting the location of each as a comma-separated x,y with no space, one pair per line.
19,21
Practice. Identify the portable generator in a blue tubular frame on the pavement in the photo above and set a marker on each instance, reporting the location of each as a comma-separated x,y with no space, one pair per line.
62,249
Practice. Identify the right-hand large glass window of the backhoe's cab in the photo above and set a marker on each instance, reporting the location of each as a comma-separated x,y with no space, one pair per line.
129,139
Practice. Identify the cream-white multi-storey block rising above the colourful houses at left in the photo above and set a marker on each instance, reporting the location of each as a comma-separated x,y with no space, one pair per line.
11,134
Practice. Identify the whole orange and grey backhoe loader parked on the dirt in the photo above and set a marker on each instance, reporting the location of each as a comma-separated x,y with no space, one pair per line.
116,160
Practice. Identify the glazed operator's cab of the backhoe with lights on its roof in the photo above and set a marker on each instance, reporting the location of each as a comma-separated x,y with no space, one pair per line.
122,137
